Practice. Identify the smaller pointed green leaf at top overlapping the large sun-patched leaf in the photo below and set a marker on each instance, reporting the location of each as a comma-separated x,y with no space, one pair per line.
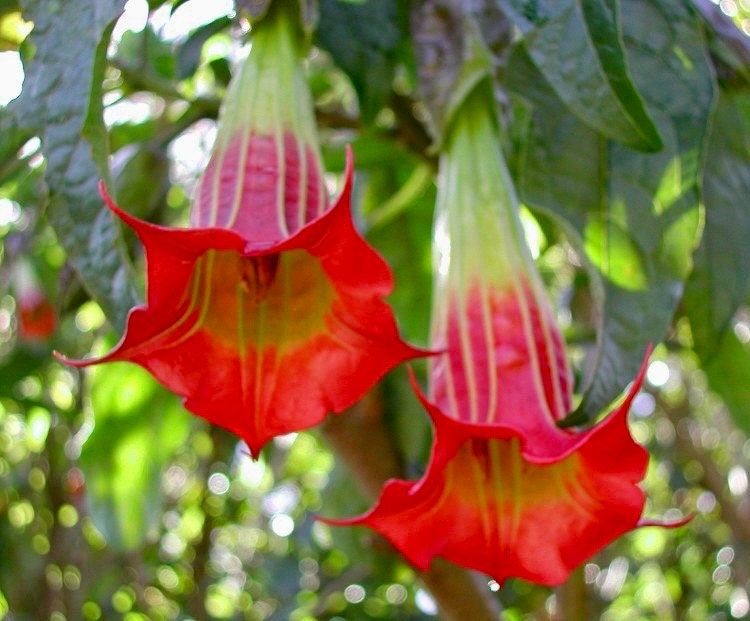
578,47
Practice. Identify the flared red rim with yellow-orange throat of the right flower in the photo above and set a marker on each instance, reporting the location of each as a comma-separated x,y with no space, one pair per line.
486,504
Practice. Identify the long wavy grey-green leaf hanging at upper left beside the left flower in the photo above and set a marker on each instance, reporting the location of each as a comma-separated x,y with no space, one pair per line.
62,101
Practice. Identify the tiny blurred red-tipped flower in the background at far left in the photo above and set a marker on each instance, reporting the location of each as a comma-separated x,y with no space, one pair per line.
37,317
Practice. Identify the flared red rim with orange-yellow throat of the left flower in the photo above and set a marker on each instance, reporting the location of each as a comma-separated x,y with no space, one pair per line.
264,340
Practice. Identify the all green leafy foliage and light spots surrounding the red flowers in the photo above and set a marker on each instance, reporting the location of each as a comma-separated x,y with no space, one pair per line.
628,133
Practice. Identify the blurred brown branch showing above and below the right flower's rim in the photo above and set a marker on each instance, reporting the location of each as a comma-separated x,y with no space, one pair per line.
356,436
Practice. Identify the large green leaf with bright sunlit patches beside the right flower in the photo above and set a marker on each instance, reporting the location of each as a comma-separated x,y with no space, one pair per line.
635,214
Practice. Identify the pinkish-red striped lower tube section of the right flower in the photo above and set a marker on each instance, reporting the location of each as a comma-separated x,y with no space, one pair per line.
504,360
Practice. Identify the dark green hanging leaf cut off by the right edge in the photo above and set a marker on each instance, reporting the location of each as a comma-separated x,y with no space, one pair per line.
721,277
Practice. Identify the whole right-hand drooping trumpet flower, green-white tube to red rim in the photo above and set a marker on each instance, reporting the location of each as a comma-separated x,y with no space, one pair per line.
506,491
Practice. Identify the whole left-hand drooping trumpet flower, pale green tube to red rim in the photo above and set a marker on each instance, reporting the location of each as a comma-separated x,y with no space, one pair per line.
268,313
